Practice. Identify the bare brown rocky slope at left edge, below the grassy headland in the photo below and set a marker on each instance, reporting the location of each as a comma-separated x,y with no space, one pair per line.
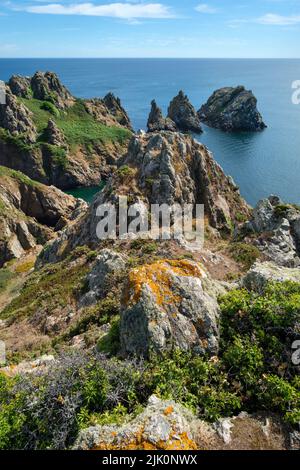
30,212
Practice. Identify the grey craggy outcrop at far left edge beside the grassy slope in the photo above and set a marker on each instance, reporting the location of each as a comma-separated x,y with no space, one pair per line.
17,119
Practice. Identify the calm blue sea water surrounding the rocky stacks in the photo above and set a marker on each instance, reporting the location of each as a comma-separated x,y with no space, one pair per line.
261,164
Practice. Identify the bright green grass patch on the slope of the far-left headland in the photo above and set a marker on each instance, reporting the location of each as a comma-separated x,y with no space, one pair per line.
78,126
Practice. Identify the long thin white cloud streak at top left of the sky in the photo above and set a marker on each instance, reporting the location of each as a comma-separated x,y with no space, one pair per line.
115,10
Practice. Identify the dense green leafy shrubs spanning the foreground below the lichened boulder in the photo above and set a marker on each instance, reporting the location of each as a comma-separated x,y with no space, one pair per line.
253,372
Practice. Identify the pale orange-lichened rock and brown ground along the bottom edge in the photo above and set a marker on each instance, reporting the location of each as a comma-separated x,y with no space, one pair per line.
166,425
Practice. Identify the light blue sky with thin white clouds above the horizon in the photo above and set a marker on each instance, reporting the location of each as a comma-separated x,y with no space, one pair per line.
154,28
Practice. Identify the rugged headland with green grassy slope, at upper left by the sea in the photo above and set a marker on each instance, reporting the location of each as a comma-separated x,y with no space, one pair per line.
56,139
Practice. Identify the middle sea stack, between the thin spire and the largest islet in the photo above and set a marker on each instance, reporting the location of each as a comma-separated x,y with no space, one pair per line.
183,114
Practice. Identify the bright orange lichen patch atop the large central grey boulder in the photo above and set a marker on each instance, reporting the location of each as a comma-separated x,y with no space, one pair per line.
158,277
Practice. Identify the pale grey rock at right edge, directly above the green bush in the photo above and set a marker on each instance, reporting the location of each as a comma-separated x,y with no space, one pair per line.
262,273
